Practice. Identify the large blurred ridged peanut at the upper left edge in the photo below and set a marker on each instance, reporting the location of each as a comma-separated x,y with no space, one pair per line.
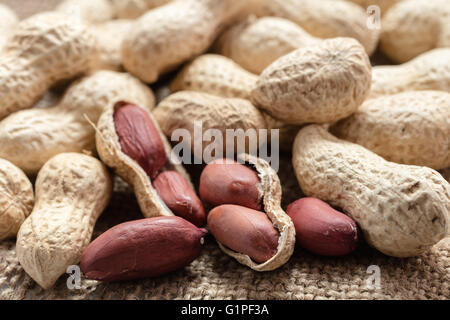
44,49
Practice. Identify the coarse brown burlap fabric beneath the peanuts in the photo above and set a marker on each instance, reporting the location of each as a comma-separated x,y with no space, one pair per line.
214,275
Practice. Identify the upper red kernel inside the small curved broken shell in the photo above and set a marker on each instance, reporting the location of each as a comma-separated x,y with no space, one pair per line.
229,182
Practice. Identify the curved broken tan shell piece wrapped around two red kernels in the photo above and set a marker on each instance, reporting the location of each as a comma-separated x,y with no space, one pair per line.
270,188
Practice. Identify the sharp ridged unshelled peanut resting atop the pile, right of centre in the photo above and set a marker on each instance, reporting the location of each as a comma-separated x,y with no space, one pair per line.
322,83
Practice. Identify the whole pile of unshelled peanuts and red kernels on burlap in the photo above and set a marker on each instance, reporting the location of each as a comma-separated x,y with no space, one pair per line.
366,142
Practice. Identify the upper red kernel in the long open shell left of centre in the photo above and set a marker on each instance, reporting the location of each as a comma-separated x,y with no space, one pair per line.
139,139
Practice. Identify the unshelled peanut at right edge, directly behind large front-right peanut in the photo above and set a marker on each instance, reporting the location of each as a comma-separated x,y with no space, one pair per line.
409,127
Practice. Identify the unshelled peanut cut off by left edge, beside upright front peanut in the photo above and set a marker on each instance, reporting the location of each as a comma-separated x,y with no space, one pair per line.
16,199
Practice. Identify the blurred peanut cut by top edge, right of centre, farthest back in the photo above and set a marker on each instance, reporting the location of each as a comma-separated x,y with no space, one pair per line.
324,19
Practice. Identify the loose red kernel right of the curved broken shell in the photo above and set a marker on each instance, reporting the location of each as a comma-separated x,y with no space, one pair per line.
321,229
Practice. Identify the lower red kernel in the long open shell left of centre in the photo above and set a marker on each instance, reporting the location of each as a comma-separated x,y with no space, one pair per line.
179,196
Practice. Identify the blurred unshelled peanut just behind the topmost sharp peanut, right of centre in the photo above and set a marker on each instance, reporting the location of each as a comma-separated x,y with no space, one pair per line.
255,43
